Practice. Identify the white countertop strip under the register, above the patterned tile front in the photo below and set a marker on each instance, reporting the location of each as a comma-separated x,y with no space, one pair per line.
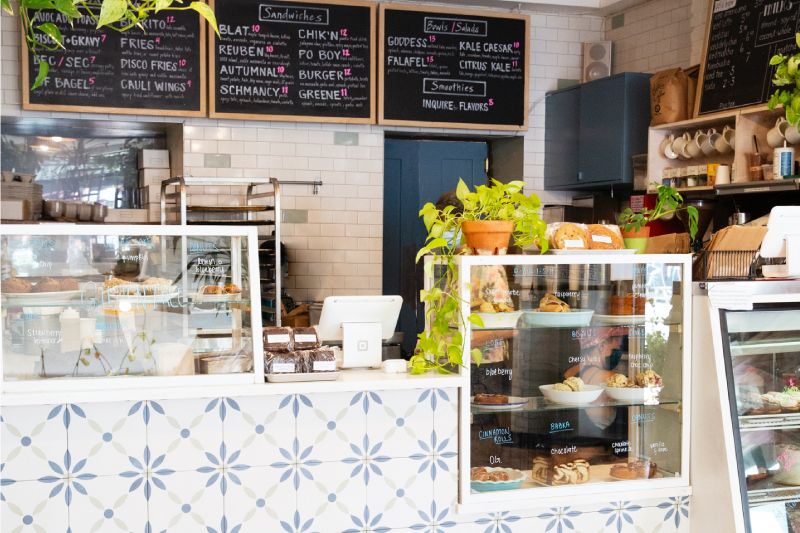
146,388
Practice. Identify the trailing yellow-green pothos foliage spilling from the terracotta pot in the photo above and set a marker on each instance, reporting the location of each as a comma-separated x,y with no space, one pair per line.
440,346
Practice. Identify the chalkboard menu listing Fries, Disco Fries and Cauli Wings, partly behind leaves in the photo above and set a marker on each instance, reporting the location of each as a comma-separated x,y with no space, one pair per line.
159,70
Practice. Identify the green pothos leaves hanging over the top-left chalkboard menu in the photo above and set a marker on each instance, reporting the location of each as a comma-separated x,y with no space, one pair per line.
119,15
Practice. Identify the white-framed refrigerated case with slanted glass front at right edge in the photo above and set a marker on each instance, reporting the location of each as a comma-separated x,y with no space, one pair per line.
756,337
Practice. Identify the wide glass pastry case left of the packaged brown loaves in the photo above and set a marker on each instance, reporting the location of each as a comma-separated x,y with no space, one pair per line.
115,302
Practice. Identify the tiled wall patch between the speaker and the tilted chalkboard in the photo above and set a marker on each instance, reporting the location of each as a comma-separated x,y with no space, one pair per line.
657,35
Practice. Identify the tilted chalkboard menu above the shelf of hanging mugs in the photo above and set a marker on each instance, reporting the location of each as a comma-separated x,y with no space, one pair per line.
741,38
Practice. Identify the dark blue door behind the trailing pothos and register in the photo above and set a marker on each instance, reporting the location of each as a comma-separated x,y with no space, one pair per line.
416,172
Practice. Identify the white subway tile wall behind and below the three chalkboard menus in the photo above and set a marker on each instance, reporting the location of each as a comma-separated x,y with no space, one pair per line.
339,249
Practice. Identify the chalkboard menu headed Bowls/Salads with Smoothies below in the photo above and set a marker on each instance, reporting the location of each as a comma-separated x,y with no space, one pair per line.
453,68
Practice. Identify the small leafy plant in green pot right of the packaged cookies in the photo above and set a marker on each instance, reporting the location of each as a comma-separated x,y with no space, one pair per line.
634,224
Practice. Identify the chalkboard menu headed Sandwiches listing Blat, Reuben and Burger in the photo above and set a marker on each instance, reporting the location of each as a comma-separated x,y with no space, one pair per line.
303,61
